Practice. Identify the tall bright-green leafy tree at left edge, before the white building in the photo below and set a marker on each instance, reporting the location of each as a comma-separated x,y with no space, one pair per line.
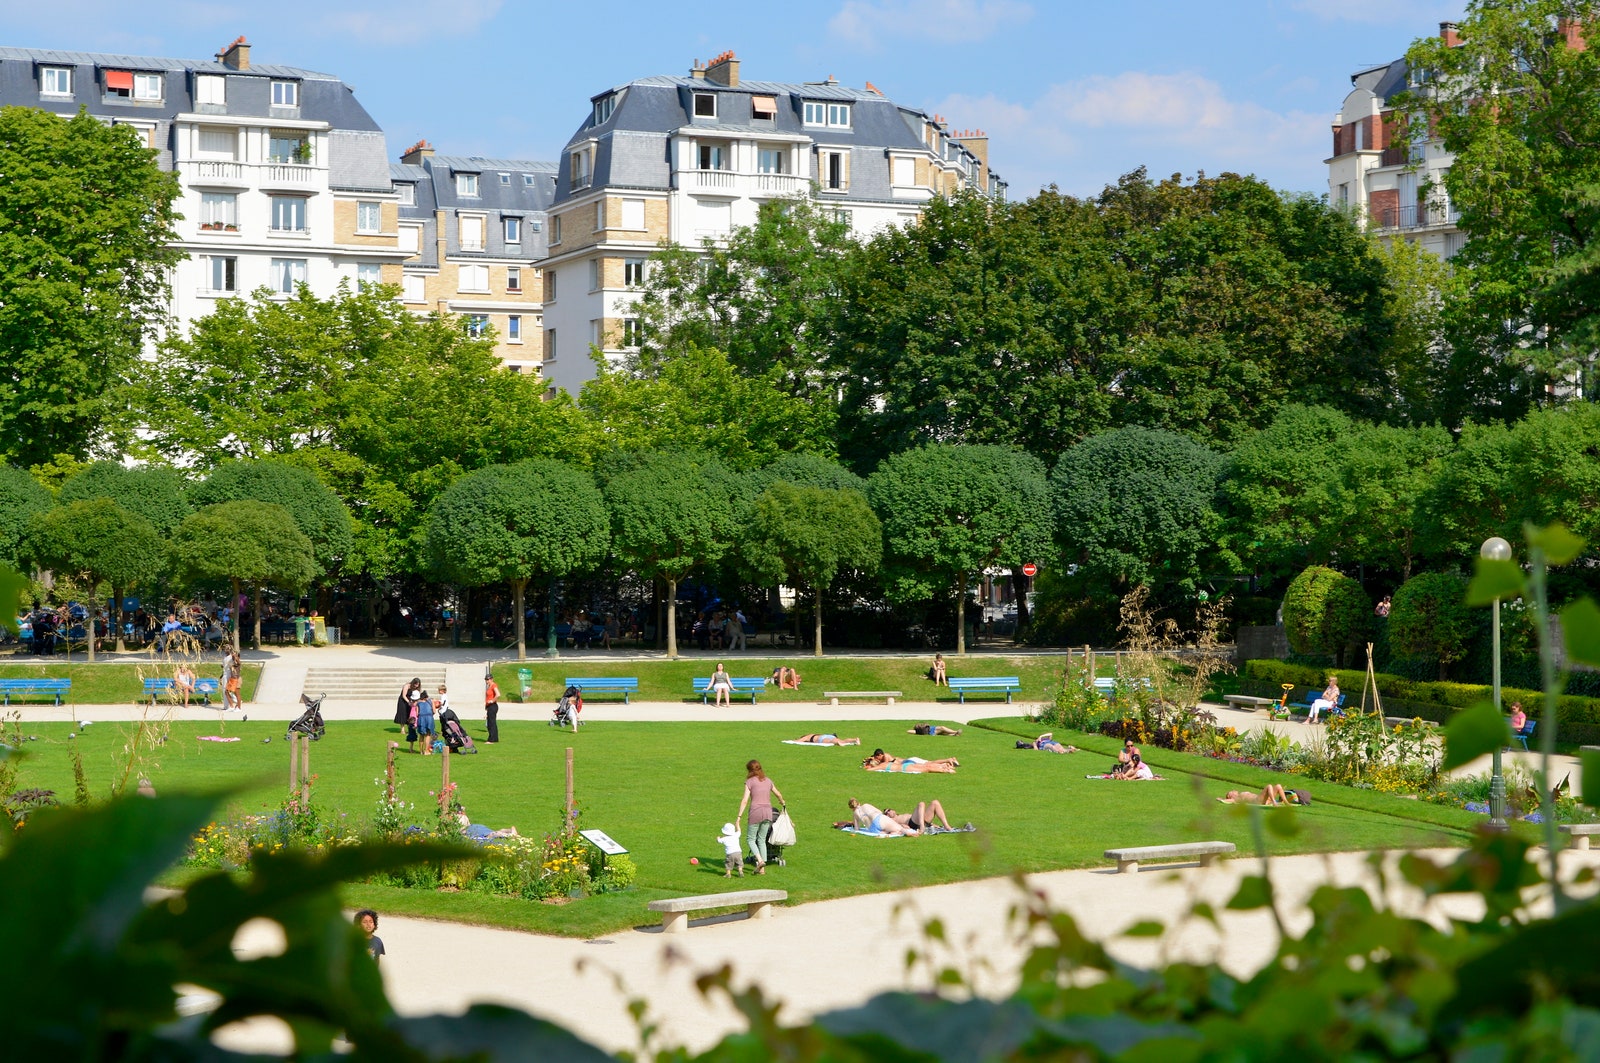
86,244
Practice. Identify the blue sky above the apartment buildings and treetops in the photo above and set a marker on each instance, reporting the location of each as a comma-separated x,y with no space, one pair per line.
1070,94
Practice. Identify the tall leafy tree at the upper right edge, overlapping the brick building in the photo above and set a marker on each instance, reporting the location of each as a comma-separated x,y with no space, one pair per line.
1514,103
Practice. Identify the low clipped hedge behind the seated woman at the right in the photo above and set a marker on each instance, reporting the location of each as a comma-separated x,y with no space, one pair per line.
1438,702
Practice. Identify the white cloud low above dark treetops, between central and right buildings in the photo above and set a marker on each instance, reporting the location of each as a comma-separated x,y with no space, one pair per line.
1084,135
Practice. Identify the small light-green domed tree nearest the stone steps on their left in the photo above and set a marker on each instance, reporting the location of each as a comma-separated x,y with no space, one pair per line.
244,542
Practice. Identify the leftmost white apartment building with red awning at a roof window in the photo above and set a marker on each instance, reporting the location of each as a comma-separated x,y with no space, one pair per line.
286,177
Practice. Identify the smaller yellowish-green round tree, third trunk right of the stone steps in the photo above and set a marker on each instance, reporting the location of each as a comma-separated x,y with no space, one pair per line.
806,536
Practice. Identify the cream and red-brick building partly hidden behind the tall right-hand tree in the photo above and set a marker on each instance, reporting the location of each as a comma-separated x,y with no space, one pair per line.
1394,180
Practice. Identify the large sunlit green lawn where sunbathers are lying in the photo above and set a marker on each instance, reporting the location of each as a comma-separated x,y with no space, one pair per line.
665,790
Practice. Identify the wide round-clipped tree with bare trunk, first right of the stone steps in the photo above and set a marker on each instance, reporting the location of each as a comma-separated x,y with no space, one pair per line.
510,524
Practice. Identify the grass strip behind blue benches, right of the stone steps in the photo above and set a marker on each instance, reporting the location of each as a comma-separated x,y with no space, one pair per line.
670,681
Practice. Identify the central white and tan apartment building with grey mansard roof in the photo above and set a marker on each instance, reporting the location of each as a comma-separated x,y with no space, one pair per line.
689,159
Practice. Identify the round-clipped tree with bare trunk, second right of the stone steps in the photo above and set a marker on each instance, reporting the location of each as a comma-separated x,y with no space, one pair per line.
671,515
